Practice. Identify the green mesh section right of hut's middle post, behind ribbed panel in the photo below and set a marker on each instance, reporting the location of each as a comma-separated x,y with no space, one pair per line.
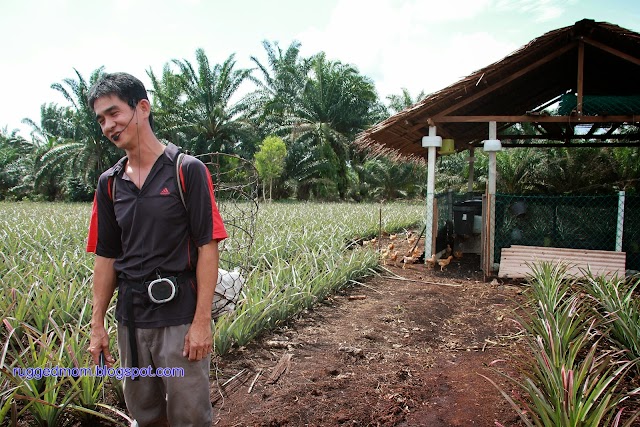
577,222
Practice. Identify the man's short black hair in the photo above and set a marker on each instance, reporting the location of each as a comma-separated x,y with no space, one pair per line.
125,86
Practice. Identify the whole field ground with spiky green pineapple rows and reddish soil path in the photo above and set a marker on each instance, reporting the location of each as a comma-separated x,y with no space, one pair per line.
328,333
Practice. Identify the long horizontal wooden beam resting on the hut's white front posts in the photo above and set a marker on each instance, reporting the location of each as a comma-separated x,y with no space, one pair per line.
539,119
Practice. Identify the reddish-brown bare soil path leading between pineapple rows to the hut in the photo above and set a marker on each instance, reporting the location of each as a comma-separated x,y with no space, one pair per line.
406,348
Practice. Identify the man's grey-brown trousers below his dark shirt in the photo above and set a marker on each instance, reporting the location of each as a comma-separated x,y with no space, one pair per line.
167,397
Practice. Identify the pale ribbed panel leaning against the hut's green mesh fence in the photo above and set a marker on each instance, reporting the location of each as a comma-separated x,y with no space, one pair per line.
516,261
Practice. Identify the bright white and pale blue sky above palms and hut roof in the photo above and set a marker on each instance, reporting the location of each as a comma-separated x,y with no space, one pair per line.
416,44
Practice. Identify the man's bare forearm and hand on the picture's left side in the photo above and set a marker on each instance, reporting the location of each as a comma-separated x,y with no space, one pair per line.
104,285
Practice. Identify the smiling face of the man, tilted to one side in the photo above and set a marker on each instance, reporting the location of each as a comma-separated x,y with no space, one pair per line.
114,116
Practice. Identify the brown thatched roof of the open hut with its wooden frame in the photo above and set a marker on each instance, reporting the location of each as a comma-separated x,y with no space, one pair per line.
594,66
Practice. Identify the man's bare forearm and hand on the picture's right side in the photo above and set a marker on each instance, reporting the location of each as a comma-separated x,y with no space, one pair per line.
198,341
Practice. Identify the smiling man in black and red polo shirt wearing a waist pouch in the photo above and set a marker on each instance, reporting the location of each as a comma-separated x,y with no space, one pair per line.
161,255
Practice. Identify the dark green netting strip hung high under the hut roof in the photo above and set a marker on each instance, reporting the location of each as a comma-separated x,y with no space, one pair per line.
600,105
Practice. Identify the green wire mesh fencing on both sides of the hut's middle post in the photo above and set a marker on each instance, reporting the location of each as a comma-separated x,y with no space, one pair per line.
597,222
